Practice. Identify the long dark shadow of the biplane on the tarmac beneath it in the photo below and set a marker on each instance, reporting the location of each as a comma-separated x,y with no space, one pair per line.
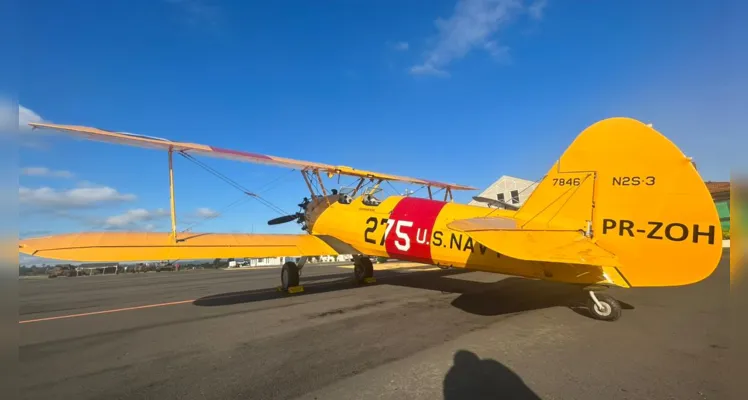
507,296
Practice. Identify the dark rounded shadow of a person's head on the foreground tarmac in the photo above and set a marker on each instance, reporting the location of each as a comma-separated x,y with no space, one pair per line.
473,378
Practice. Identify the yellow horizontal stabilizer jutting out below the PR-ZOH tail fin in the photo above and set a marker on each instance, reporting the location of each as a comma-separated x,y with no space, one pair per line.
501,236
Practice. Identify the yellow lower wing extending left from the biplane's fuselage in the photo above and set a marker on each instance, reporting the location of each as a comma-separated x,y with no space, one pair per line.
147,246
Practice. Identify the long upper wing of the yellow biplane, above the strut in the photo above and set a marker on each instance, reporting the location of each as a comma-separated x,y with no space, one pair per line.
212,151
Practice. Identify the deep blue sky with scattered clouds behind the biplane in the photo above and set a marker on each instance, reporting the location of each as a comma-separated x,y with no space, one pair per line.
458,90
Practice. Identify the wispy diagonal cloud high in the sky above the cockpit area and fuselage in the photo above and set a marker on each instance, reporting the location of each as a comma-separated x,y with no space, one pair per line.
474,24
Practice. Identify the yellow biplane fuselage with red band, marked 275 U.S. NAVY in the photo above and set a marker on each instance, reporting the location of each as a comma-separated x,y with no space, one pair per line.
415,229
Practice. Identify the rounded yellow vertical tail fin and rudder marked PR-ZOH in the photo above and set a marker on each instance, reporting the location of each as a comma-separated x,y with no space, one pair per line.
640,198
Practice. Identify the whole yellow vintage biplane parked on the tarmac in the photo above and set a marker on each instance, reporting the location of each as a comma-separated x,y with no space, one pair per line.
623,206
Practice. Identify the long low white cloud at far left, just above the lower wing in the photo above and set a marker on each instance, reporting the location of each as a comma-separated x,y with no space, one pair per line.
48,198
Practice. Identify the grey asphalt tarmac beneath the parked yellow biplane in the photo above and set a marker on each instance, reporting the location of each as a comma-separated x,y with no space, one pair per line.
218,334
